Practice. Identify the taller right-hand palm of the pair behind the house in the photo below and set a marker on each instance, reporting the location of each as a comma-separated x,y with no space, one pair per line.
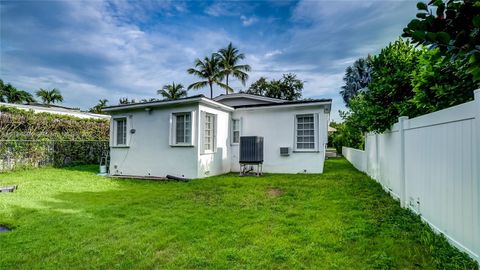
229,58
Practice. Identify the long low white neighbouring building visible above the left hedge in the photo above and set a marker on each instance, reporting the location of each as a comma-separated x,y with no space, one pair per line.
55,109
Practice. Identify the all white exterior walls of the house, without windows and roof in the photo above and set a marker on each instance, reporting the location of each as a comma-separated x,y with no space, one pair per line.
150,151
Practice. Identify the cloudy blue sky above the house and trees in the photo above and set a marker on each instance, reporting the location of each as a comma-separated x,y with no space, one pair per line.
112,49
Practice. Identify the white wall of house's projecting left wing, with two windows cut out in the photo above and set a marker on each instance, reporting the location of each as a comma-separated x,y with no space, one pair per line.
149,152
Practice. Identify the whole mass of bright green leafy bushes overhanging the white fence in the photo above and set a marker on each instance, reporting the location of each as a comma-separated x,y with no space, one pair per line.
408,81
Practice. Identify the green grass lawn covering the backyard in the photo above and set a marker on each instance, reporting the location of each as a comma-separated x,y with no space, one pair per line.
70,218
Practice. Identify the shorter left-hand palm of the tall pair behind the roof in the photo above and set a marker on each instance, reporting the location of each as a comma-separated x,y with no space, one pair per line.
209,70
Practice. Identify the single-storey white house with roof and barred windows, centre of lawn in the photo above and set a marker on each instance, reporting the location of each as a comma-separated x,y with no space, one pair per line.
196,137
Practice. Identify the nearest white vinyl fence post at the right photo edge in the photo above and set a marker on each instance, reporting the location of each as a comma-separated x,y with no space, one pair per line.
476,172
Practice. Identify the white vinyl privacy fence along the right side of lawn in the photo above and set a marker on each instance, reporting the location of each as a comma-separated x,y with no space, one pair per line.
431,163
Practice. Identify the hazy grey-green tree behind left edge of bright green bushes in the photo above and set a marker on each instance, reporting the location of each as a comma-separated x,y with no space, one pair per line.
357,77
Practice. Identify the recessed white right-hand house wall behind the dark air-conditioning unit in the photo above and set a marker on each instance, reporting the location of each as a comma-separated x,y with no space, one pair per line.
277,127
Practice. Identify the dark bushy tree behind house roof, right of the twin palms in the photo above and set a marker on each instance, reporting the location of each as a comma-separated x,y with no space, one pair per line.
289,87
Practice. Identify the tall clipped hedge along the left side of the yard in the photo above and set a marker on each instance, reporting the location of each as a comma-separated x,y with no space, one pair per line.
29,139
